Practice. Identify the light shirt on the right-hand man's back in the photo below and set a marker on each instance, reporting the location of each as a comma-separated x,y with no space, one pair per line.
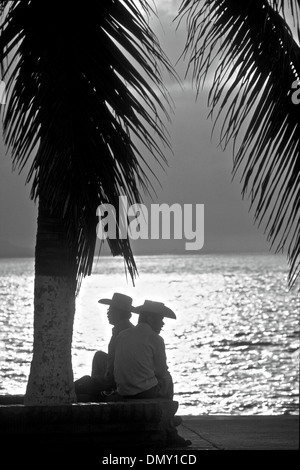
140,359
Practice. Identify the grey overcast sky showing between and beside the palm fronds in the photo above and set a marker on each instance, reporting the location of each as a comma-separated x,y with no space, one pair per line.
198,173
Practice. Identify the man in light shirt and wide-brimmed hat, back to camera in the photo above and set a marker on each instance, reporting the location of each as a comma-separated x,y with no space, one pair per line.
140,365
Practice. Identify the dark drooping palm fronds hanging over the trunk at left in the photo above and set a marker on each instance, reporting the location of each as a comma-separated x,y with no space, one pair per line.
81,84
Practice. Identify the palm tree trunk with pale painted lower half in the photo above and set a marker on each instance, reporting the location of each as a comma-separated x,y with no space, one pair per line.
51,375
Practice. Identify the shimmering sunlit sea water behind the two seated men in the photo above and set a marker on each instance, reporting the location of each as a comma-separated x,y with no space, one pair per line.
234,348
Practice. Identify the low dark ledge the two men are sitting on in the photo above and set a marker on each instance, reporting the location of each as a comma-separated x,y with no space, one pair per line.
134,424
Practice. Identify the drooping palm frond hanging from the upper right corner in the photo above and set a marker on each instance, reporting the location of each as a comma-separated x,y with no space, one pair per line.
258,59
